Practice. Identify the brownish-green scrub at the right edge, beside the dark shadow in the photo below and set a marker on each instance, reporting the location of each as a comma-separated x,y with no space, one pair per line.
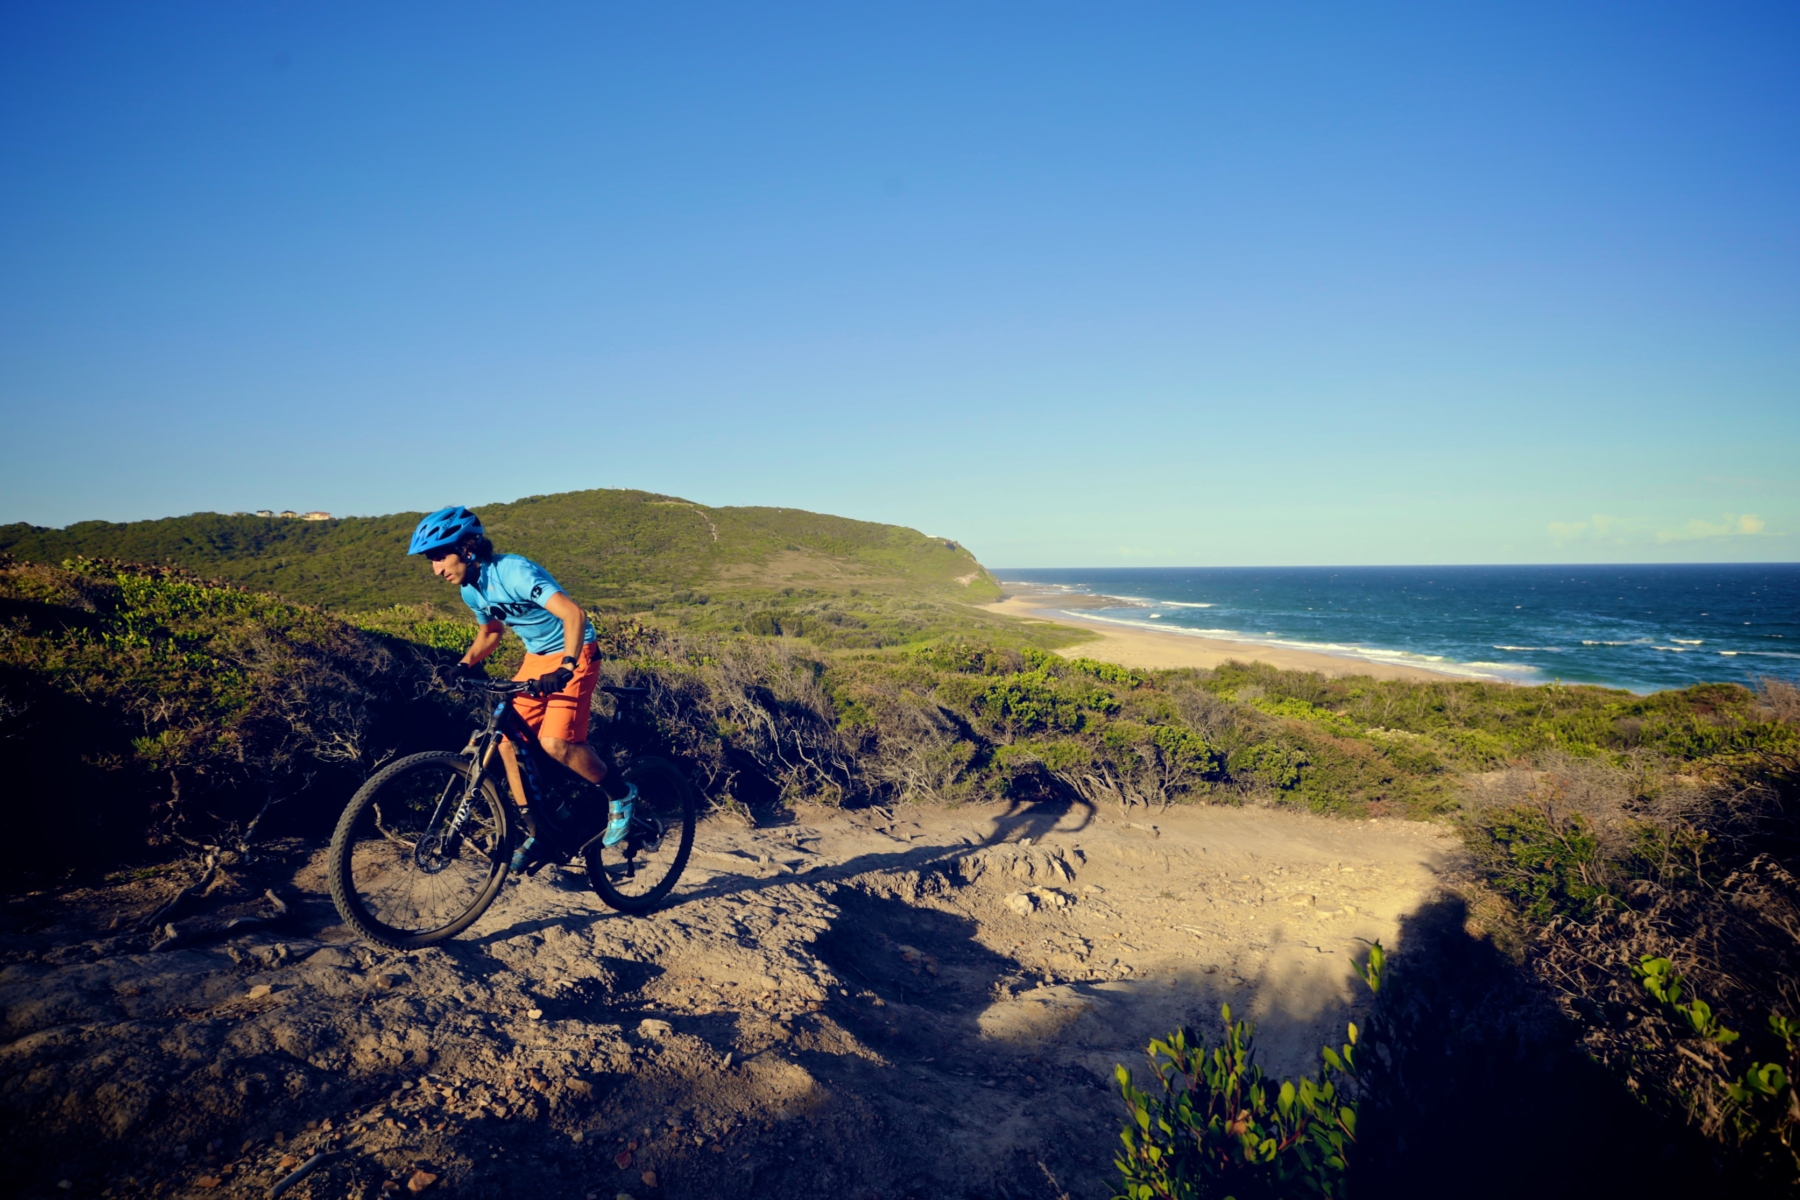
1655,882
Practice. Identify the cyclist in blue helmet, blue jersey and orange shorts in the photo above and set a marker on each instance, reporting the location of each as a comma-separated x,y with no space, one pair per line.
562,659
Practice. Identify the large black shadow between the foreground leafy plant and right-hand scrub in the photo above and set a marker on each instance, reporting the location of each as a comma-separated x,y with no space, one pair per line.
1477,1086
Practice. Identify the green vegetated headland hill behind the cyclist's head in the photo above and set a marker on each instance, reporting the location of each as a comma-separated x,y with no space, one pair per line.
616,551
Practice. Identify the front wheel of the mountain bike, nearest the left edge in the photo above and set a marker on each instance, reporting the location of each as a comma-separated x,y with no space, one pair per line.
402,870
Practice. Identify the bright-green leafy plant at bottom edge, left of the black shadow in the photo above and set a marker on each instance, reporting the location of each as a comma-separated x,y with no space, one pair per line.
1214,1127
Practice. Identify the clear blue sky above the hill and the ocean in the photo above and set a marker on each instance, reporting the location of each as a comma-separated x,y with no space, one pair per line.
1079,285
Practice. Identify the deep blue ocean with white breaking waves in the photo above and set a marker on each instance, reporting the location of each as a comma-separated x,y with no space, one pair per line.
1642,629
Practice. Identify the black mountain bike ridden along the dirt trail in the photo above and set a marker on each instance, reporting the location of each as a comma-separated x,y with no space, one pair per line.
427,843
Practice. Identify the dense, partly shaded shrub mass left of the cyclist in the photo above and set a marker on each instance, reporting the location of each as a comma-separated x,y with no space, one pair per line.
159,708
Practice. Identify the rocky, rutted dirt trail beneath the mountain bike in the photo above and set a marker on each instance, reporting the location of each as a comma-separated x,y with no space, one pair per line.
849,1005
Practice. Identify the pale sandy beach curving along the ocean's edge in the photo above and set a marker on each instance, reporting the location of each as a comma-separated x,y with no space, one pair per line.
1149,649
